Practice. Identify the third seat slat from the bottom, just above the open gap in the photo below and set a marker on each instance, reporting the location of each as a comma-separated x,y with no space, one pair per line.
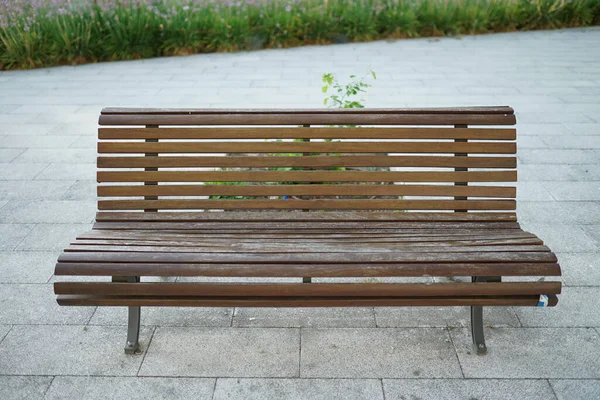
320,270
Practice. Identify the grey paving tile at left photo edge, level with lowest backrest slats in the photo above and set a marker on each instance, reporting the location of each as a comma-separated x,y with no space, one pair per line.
48,211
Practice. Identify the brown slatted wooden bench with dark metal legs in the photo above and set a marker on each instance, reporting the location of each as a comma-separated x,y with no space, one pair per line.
446,211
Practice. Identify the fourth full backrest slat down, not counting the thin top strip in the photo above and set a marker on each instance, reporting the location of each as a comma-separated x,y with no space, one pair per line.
309,161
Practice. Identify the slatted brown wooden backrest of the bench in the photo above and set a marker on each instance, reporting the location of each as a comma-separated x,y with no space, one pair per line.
455,159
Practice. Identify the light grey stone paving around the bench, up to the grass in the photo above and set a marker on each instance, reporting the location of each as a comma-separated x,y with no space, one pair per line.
47,140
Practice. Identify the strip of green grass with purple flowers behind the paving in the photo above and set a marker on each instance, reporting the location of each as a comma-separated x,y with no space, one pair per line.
42,33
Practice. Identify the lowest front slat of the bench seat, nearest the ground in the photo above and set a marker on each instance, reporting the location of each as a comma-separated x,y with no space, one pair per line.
79,300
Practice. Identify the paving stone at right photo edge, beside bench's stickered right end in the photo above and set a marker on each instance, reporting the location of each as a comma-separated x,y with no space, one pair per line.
577,307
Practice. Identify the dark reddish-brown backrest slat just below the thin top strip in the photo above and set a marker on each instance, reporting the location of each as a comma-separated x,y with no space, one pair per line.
307,119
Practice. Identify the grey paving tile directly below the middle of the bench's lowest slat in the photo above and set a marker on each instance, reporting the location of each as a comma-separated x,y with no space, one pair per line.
304,317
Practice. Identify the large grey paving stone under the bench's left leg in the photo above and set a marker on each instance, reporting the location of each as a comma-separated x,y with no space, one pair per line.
68,350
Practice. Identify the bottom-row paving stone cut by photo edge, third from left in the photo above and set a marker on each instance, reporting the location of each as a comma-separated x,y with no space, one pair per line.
297,389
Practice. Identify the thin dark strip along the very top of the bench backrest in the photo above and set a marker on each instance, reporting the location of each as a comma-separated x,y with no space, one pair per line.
345,111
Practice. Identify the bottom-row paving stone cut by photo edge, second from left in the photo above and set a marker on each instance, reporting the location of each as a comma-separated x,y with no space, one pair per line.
101,388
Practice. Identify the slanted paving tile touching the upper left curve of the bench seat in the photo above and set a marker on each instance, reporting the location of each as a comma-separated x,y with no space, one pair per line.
52,236
